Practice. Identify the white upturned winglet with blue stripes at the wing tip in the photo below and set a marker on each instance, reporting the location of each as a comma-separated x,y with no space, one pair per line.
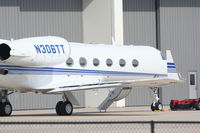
171,68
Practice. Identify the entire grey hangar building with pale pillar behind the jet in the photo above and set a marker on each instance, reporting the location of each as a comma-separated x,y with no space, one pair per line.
164,24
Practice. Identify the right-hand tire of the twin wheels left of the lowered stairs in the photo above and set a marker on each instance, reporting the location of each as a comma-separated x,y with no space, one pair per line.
66,108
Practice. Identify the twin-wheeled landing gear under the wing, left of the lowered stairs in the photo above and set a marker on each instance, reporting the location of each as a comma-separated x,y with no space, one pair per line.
64,107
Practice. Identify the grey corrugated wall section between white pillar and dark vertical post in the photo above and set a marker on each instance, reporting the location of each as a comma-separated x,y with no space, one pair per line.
139,29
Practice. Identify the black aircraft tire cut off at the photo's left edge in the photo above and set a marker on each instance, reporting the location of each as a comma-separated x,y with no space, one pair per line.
5,109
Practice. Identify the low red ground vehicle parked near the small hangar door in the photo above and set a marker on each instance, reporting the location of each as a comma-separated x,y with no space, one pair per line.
185,104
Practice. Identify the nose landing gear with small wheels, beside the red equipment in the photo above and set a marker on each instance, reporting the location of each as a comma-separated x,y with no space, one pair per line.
156,105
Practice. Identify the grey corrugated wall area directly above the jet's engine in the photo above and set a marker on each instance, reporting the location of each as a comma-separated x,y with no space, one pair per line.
25,18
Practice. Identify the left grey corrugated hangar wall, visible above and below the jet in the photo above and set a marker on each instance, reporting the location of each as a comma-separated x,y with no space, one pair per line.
27,18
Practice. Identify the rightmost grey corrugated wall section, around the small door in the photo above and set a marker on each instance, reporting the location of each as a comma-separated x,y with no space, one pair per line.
180,30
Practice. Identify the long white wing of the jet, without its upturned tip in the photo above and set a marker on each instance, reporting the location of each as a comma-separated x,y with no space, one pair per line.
156,82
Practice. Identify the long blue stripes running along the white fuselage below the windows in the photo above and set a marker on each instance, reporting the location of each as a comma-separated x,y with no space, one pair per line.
49,70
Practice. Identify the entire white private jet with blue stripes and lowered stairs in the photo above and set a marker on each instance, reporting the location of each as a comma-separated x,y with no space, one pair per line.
53,65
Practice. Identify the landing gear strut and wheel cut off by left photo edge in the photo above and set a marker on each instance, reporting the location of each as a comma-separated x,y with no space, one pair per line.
5,106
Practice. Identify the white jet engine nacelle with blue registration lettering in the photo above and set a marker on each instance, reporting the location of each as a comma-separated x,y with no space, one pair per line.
35,51
